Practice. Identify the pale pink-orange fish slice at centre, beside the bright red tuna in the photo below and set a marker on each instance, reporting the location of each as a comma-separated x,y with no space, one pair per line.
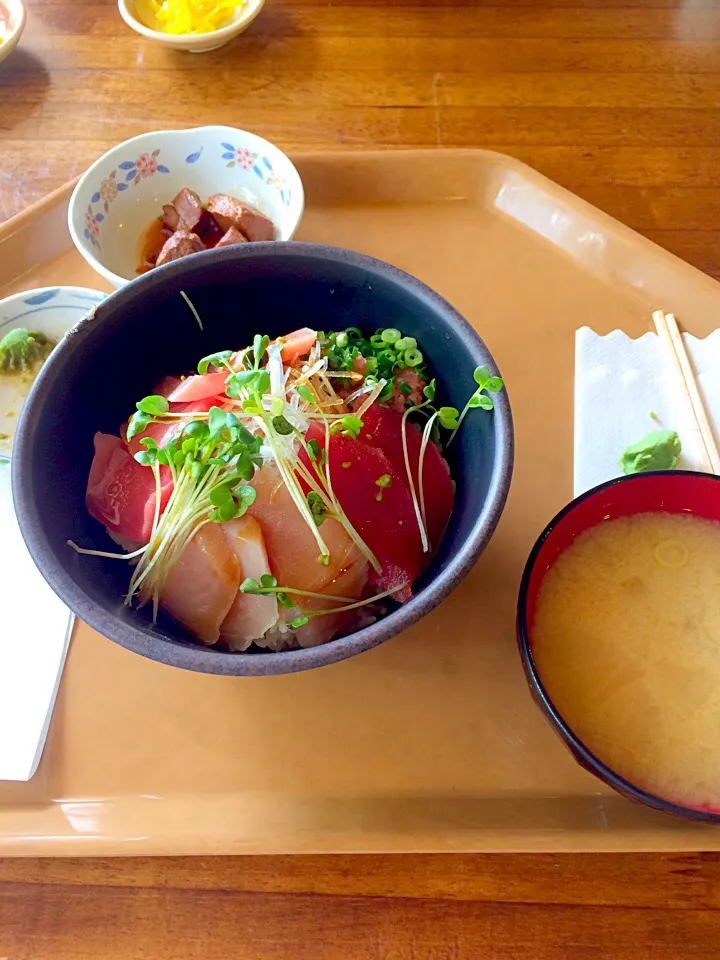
291,546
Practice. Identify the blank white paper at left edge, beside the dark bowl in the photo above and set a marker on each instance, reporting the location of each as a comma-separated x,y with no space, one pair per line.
35,629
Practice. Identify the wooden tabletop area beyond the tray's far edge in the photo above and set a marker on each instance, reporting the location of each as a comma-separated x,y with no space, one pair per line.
616,99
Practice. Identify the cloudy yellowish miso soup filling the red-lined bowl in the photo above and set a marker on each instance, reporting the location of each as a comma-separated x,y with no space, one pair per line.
626,640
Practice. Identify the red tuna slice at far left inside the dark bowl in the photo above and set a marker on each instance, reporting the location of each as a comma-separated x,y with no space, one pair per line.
120,492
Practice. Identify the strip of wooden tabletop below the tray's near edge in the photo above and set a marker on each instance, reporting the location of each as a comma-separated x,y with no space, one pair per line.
491,907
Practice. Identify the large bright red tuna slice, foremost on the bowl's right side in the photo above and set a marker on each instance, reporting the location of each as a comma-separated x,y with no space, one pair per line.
383,515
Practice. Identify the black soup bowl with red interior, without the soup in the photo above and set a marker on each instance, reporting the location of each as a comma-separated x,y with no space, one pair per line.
671,491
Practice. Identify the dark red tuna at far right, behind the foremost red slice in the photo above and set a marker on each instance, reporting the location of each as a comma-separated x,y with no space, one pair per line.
382,427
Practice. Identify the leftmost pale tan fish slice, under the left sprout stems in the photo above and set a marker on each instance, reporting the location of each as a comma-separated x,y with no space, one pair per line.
202,586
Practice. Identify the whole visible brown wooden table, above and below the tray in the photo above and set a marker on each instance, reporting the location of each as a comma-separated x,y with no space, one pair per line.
619,100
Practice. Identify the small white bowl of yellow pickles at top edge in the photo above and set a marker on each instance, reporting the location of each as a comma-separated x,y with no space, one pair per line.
193,25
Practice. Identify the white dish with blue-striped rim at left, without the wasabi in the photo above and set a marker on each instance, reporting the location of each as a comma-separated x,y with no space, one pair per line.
51,310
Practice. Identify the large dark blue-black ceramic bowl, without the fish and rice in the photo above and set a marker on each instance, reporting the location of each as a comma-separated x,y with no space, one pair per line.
146,330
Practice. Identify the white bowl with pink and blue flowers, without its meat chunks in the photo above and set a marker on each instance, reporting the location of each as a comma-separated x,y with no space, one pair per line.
120,195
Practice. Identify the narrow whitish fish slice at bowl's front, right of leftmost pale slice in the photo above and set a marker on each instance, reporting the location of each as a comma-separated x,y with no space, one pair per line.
250,617
